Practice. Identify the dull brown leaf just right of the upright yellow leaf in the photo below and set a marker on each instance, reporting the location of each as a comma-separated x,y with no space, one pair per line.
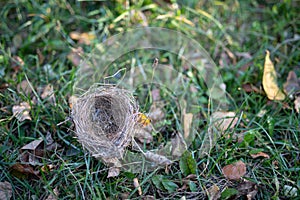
291,86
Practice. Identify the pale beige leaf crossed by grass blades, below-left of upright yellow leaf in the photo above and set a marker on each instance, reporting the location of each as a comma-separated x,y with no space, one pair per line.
224,120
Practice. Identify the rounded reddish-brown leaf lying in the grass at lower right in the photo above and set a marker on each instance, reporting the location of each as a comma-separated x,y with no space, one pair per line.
234,171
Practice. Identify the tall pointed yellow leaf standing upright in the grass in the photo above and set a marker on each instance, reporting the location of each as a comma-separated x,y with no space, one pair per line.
270,80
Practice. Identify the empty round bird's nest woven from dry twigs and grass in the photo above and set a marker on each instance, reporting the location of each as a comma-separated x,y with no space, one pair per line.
104,119
